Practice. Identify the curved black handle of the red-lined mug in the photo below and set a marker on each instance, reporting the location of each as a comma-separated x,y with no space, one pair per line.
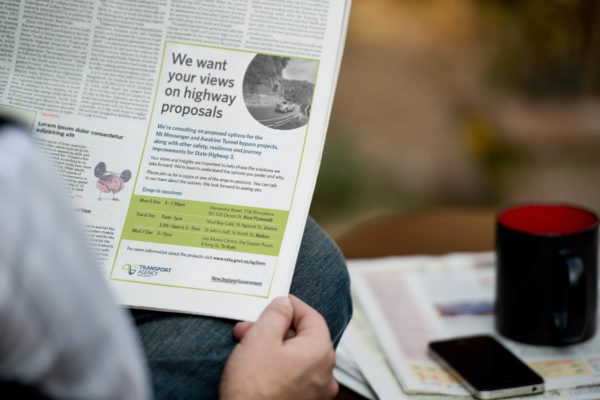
570,323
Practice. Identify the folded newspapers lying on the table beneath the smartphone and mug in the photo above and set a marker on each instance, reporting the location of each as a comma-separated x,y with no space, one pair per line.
409,301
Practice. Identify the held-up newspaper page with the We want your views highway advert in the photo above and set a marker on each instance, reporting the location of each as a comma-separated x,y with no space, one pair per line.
189,134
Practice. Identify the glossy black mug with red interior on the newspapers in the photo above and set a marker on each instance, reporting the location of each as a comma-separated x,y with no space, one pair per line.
546,286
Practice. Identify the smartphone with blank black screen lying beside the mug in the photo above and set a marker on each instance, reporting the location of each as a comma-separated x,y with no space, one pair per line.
486,368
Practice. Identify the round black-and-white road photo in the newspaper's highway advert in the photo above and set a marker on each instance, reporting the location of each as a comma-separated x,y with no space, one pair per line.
278,90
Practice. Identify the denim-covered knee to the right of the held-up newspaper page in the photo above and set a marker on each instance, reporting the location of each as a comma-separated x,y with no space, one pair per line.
321,279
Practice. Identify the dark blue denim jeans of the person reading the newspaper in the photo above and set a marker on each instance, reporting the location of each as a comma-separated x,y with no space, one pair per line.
186,354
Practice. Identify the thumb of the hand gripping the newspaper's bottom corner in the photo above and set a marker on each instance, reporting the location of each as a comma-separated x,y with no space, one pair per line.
276,319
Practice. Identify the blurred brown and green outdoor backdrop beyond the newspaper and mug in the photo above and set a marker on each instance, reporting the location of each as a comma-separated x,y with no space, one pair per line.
470,103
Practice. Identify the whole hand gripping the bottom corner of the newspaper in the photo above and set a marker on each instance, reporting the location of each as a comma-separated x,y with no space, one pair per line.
286,354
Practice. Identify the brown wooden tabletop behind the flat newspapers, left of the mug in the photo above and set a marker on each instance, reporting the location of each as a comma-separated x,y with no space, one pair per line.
436,232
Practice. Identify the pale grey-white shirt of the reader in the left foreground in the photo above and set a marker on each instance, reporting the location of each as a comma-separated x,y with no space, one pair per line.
59,327
